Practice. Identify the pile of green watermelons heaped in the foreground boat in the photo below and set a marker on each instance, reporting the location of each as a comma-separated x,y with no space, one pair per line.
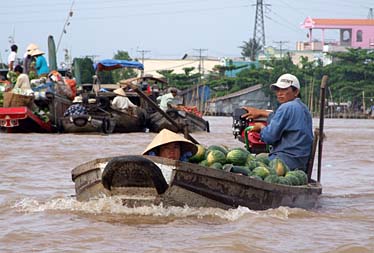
239,160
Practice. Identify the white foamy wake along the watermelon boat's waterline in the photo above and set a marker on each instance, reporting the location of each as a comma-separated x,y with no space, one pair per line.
113,206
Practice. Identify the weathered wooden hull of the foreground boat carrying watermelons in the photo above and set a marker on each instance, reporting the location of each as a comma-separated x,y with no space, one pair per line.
146,180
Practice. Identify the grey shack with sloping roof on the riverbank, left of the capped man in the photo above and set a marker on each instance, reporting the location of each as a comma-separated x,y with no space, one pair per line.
251,96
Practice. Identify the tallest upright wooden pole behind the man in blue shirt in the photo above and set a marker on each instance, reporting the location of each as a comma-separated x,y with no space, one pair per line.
321,124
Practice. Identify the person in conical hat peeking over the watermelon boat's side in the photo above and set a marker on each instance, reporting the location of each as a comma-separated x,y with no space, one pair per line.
170,145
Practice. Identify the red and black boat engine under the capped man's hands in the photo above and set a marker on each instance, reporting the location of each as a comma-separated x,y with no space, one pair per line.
241,129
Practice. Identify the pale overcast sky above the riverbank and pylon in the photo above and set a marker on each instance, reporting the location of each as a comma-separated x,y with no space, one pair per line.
162,28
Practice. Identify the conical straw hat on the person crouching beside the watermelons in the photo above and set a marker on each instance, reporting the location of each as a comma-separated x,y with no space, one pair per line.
166,136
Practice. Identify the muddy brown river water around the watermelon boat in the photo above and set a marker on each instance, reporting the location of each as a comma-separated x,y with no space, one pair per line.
38,212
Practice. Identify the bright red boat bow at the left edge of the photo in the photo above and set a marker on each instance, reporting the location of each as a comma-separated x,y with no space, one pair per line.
22,120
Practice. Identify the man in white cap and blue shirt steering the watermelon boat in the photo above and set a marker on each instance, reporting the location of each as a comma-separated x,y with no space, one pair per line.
289,130
